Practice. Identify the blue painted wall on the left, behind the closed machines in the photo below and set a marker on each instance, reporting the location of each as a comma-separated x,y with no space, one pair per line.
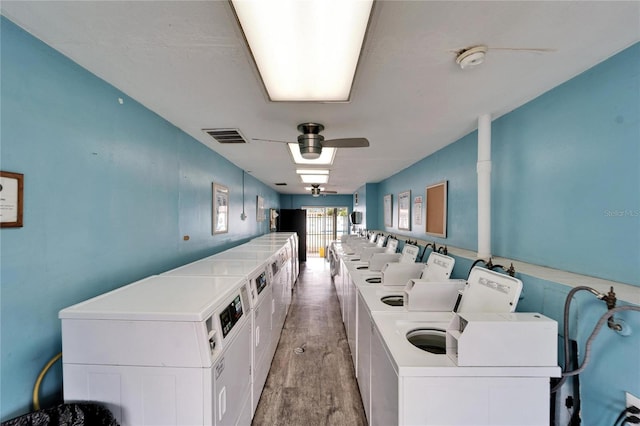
110,191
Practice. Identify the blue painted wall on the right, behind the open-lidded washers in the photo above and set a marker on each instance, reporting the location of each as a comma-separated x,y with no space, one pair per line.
565,194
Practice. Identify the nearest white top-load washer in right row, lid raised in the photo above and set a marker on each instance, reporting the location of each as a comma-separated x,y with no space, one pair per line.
414,381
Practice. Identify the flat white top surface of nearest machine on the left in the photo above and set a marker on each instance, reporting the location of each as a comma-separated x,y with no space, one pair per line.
159,298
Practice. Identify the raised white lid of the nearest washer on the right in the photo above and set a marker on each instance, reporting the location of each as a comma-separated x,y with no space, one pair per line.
489,291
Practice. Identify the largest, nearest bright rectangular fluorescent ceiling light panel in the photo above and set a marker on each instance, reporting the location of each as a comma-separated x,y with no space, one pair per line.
305,50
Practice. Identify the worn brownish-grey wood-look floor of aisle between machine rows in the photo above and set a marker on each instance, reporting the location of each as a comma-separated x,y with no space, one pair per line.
317,387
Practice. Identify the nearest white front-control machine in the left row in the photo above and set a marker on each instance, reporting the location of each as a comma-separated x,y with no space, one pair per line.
165,350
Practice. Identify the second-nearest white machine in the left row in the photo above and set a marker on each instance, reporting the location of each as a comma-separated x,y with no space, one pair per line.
261,298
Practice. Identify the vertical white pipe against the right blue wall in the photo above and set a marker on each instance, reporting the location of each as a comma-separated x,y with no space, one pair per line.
484,186
